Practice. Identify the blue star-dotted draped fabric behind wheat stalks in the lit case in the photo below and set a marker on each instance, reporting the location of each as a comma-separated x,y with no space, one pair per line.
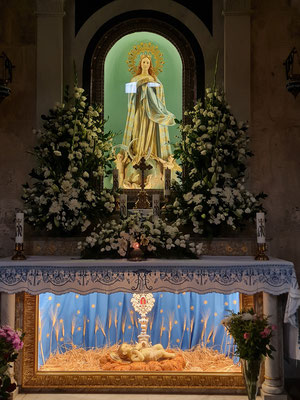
181,320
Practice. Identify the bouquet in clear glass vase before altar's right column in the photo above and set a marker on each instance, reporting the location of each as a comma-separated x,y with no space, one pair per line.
252,334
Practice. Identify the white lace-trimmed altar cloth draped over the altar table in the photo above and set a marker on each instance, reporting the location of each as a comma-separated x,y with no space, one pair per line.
226,274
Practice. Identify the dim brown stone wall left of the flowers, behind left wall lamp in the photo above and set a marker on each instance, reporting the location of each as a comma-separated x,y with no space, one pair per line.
17,112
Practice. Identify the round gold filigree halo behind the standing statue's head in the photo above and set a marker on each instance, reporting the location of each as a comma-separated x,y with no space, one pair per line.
151,51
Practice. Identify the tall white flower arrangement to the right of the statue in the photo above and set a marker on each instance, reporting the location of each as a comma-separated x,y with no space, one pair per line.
214,149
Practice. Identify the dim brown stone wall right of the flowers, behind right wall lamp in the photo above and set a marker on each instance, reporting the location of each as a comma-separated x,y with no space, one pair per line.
275,131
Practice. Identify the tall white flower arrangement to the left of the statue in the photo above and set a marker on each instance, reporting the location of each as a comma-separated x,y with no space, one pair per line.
72,155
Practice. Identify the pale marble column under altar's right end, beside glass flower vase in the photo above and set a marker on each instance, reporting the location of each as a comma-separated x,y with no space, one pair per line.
272,388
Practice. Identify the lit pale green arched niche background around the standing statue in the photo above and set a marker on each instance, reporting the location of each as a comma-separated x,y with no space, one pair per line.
116,74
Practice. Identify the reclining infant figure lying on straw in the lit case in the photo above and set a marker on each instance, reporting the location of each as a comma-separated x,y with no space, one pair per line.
140,353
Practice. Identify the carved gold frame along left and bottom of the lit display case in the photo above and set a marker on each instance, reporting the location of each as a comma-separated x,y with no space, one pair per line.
137,382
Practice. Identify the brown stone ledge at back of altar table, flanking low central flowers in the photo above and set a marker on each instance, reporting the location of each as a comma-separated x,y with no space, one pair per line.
49,246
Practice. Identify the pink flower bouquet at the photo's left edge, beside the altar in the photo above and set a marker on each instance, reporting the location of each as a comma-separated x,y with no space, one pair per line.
10,343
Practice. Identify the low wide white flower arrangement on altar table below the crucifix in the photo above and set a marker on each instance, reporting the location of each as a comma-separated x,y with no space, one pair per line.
153,235
